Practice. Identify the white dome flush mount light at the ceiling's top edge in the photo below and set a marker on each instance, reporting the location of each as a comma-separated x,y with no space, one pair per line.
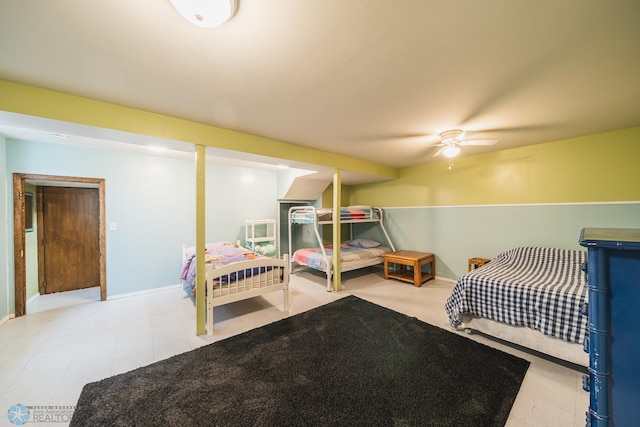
206,13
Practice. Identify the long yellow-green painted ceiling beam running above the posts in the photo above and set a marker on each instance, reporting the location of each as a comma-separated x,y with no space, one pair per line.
32,101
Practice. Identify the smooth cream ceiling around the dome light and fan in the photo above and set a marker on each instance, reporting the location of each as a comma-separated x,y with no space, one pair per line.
372,79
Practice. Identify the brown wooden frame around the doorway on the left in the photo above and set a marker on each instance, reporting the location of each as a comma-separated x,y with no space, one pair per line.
20,271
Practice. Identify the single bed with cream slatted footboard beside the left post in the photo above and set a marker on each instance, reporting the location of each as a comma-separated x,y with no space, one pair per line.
235,273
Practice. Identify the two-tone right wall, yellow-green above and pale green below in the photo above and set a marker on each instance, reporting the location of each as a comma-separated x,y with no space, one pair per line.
539,195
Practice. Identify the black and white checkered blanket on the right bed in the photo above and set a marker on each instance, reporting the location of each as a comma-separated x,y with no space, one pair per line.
540,288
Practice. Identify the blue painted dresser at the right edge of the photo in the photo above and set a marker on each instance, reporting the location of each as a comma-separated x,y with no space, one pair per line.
613,276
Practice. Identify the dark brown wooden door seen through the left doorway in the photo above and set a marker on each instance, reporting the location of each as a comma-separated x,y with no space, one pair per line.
69,250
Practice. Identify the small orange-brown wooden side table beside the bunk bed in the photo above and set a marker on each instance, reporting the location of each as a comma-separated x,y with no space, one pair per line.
404,259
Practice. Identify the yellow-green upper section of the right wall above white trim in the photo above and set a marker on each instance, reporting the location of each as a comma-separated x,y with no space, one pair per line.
593,168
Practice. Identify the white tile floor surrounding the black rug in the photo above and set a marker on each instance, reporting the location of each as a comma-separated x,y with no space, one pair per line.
67,340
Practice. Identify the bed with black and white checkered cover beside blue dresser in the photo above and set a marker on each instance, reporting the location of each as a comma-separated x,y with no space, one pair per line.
530,296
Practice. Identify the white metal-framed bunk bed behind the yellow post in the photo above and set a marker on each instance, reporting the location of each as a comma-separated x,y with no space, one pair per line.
354,253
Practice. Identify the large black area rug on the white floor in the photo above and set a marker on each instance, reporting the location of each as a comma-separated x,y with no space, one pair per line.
347,363
